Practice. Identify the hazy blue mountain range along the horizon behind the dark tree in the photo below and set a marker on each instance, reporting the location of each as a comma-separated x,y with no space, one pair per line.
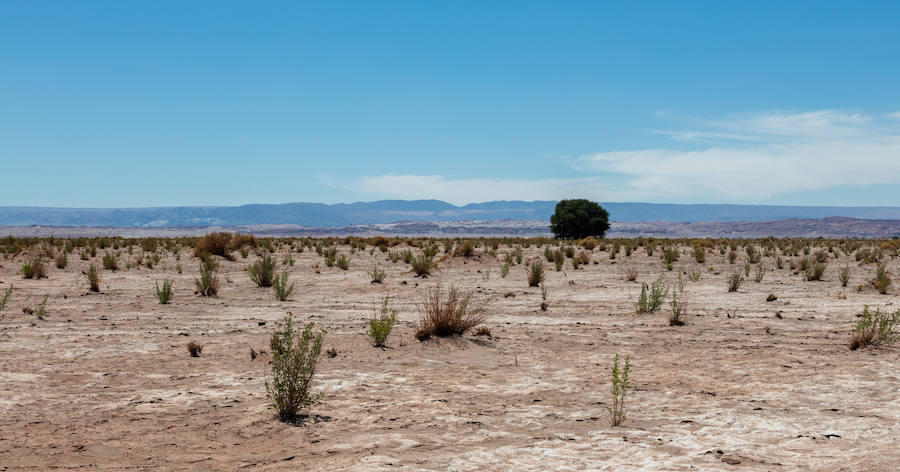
319,215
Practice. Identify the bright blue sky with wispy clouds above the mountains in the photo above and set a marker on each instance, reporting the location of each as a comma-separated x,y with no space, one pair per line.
163,103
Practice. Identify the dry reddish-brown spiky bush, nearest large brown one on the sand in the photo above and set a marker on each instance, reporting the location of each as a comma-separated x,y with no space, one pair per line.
449,313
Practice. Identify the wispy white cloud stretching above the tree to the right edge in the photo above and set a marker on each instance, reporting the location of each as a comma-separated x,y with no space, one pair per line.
745,158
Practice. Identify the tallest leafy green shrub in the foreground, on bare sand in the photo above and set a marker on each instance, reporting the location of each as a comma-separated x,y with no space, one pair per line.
295,355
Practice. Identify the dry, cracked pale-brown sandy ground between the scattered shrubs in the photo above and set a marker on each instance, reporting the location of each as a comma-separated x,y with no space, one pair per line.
104,382
